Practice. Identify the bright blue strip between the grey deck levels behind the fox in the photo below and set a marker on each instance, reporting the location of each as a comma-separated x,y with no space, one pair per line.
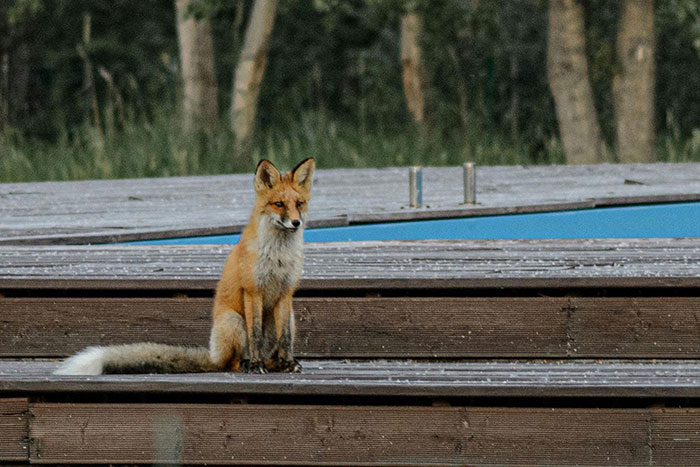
646,221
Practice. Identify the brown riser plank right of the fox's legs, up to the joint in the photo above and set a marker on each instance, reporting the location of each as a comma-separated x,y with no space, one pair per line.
431,327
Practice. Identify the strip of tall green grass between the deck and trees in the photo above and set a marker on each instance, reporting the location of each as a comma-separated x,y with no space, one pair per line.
160,149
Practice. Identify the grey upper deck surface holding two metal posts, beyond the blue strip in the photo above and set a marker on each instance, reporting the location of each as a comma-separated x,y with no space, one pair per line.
118,210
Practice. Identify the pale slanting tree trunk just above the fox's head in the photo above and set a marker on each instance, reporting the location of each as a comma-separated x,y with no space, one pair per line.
249,73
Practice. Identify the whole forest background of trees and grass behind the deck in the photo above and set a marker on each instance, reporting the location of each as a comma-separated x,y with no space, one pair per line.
134,88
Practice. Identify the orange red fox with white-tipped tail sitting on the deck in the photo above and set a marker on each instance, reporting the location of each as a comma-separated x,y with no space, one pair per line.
252,328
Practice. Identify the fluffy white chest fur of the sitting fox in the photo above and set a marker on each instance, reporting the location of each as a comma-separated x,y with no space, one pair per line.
279,261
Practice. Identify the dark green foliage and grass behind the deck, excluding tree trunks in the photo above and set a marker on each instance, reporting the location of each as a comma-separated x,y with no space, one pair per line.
332,88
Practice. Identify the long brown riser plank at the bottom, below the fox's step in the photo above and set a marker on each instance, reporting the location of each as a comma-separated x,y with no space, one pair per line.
322,435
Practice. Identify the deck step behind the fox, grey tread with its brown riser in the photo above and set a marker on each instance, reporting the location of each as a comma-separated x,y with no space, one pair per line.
427,299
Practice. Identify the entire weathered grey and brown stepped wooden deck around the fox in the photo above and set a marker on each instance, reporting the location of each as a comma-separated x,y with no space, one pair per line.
487,352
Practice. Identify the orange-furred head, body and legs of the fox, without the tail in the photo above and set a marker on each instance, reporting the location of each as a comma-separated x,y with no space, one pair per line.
248,289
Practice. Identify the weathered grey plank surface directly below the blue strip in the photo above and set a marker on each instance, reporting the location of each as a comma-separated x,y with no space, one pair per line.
431,264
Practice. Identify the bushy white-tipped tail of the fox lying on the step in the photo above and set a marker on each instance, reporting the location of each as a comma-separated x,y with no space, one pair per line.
138,358
